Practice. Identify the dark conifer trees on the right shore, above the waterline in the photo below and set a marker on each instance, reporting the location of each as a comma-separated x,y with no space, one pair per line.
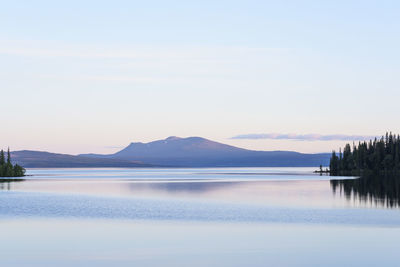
376,156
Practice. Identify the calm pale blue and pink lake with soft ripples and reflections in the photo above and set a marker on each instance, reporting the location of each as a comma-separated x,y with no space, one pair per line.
197,217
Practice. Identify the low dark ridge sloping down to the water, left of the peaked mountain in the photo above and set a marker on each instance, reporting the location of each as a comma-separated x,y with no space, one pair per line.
38,159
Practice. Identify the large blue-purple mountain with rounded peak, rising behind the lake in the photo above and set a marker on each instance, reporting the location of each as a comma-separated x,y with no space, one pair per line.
201,152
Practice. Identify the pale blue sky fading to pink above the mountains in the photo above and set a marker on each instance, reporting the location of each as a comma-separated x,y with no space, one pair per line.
93,76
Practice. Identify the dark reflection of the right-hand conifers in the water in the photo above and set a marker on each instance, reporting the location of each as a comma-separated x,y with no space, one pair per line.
383,191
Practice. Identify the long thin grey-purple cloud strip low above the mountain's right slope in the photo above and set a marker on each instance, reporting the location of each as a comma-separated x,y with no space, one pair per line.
304,137
